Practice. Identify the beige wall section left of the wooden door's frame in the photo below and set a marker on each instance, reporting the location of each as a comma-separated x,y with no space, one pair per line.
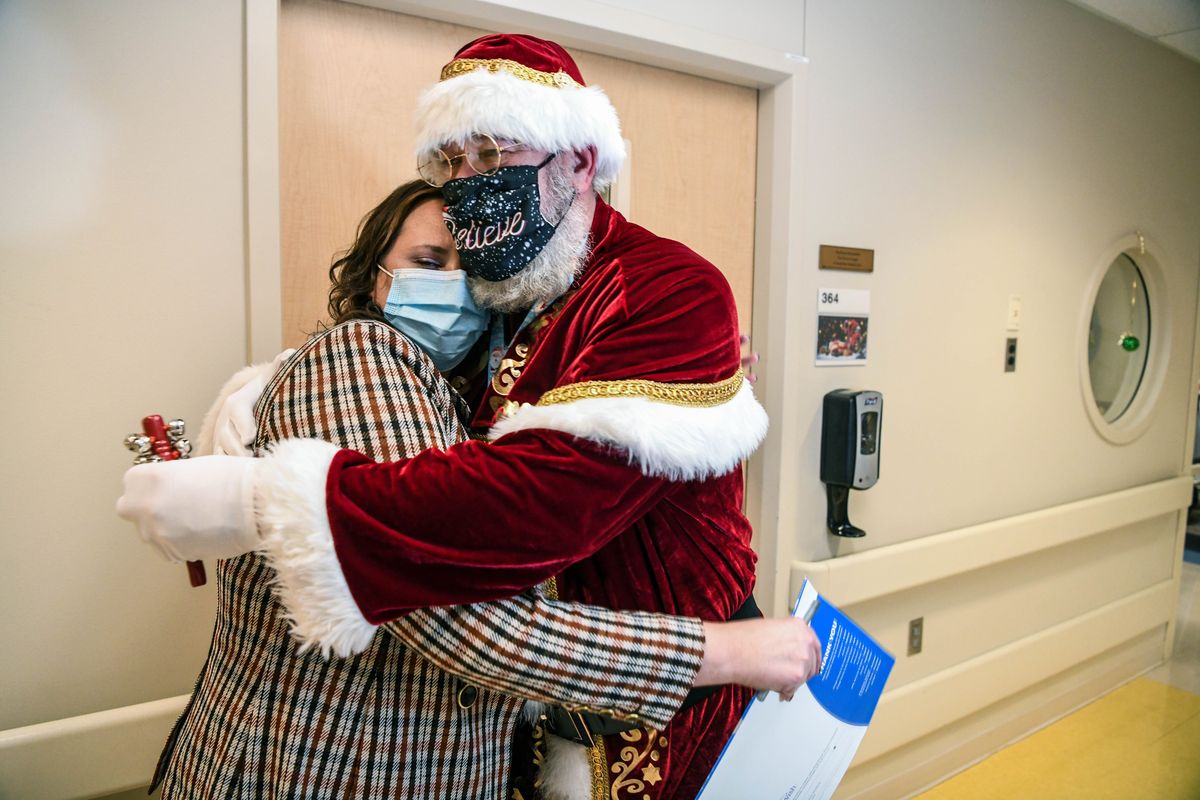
122,273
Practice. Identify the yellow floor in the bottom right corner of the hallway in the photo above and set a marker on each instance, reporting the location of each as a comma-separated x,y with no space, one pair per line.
1138,743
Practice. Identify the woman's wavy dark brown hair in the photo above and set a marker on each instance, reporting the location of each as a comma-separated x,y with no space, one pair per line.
353,275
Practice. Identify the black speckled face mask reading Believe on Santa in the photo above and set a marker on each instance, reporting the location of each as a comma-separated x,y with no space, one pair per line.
496,221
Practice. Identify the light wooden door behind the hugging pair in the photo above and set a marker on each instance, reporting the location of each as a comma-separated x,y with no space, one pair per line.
350,79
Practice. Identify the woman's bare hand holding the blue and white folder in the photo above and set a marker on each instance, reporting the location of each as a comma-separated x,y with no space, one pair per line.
766,654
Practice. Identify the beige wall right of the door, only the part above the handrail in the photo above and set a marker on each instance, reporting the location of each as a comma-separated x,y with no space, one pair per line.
987,151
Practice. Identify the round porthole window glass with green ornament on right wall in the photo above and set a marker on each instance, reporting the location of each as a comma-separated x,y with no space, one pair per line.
1119,339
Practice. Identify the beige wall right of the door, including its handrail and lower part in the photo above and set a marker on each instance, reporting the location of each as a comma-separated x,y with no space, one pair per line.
987,151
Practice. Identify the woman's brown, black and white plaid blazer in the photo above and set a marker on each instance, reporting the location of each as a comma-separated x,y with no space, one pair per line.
429,709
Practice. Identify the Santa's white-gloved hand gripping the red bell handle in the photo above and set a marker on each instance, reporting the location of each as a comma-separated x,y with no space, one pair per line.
194,509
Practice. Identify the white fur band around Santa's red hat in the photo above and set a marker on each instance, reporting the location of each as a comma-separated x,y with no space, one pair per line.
554,119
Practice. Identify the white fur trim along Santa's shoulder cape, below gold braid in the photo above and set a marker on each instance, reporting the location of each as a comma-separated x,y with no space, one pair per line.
681,443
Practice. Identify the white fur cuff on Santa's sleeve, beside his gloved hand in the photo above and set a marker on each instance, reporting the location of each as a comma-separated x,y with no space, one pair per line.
290,502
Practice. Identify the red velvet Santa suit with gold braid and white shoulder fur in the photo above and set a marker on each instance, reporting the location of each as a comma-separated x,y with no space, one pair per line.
615,466
